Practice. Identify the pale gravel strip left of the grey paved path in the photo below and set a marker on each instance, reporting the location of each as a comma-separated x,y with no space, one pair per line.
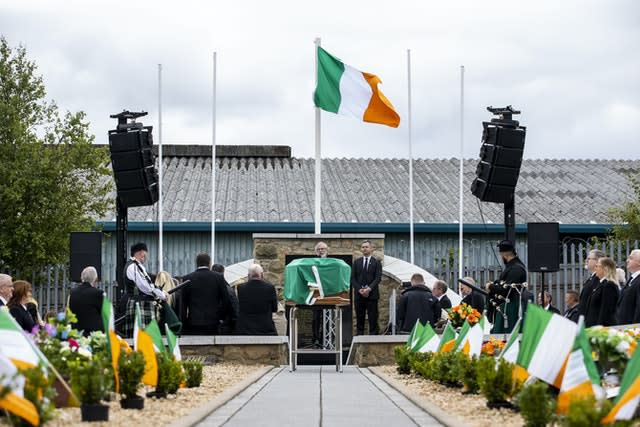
159,412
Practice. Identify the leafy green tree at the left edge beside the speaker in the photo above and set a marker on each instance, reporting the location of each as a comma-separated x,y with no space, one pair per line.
53,179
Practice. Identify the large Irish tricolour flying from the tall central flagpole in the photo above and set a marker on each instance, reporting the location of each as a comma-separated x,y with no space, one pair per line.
344,90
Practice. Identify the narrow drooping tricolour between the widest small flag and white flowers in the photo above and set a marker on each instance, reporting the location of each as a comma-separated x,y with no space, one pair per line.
581,379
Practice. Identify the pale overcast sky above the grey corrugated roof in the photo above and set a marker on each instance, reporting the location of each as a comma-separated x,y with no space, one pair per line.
572,68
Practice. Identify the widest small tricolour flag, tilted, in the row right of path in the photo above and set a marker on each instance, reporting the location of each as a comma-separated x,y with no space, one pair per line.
547,339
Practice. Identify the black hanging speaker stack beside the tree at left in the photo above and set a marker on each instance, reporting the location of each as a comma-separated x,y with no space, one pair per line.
133,164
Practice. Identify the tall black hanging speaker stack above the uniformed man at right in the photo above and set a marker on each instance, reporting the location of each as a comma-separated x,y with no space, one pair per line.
500,160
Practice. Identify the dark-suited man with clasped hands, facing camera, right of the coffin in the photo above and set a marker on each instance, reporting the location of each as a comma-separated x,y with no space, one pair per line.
366,274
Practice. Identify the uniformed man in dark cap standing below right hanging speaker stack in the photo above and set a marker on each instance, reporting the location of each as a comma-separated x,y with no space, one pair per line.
507,297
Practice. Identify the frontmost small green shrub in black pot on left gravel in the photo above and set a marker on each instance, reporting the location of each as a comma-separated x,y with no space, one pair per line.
89,385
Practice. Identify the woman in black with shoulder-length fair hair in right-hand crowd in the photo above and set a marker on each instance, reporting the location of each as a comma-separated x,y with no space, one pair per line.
602,304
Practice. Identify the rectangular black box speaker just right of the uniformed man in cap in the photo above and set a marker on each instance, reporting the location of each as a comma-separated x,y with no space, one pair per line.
543,240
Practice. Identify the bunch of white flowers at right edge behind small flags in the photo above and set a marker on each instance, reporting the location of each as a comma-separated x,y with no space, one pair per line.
612,347
